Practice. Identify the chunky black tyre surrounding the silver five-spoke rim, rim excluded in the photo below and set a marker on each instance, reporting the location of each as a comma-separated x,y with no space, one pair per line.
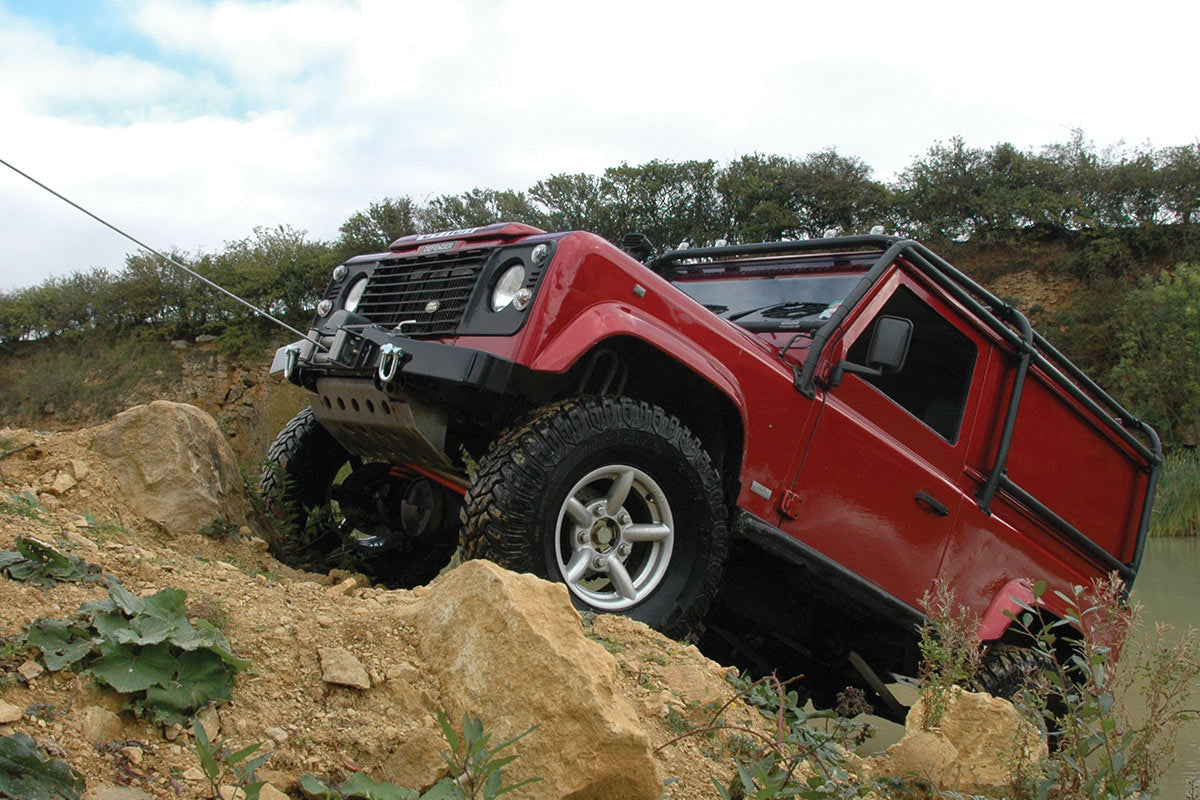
517,501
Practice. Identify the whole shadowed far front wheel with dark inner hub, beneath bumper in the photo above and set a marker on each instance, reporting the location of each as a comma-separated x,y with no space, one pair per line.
339,510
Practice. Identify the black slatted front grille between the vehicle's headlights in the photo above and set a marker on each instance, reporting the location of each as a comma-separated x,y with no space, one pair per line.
403,290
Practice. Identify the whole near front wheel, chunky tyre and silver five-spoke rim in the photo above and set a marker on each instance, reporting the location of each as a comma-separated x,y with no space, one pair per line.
613,497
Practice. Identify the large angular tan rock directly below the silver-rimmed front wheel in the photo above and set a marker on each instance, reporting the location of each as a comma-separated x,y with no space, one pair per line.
511,648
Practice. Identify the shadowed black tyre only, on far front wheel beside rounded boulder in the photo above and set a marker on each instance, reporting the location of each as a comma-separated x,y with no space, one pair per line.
302,466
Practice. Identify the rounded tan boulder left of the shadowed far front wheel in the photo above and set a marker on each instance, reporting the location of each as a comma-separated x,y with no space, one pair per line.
175,466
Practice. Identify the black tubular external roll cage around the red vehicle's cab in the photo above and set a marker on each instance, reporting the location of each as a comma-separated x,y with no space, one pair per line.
1000,317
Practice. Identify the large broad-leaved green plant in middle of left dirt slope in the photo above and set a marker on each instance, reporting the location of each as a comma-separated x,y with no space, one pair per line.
145,649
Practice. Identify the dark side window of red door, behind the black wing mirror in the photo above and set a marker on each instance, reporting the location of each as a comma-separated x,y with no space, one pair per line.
933,386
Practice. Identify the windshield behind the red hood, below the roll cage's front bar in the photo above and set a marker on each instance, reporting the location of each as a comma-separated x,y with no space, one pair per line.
772,303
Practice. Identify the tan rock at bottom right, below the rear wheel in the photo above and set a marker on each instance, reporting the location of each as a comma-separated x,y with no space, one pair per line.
977,745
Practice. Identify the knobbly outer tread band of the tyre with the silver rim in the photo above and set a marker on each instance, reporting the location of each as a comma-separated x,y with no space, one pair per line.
501,507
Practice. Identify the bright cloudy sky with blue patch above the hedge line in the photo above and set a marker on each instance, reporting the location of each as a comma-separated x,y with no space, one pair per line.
190,123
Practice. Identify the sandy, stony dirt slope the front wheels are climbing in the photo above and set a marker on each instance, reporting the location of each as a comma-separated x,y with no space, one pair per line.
280,619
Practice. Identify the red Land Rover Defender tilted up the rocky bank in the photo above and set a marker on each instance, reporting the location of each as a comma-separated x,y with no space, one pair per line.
776,447
